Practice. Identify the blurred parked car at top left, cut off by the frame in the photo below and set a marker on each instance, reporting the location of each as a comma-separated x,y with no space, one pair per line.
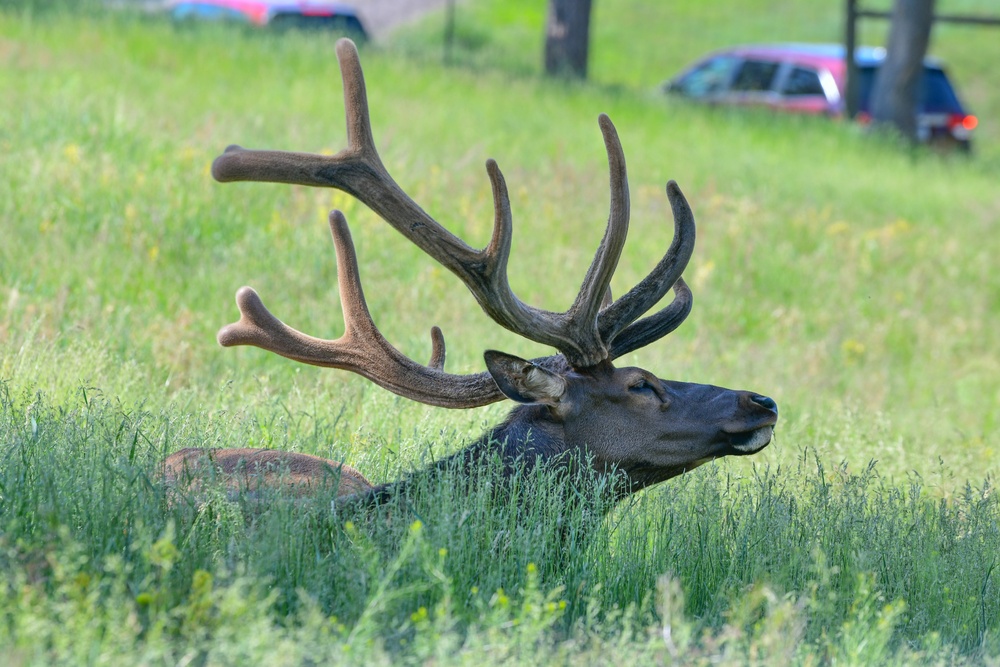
301,14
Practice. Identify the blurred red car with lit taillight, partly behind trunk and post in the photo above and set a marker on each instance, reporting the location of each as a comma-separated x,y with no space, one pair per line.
810,78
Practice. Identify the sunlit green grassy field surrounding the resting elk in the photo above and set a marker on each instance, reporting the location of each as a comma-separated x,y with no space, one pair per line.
850,279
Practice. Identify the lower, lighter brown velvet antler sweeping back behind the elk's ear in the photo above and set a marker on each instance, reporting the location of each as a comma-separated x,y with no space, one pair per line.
362,349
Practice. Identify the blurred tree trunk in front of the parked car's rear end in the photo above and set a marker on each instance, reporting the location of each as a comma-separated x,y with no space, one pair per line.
894,96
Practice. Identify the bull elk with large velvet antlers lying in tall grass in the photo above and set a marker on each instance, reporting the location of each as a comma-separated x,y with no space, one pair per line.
576,401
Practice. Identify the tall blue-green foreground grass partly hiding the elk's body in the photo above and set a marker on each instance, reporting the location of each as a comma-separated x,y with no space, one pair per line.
849,564
